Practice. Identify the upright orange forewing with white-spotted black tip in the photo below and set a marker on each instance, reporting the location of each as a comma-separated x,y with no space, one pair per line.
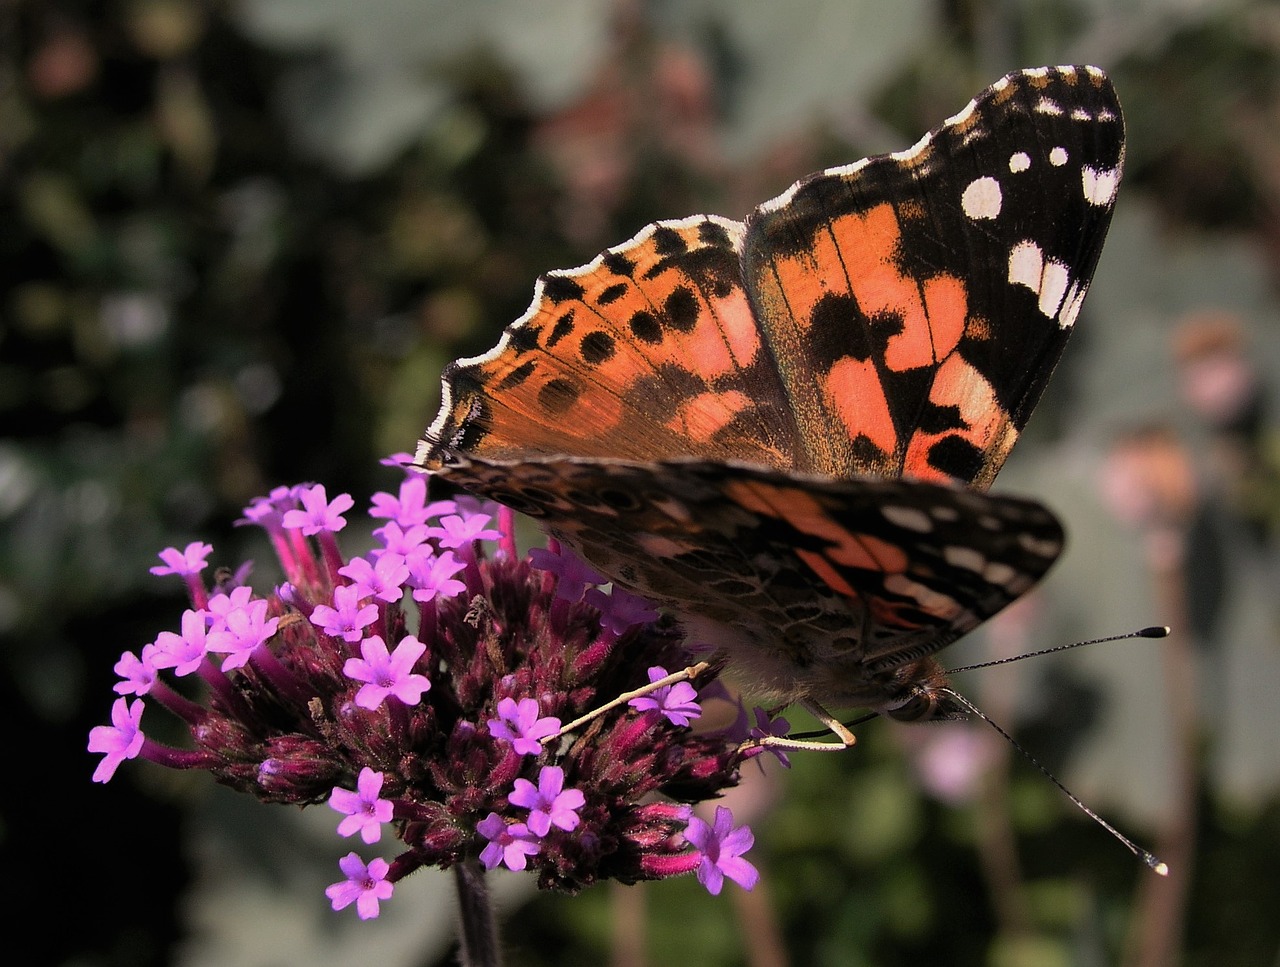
920,302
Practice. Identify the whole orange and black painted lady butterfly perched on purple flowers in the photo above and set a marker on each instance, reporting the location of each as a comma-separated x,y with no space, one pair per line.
783,430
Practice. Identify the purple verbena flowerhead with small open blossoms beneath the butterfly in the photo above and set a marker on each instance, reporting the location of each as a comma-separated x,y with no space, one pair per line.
420,691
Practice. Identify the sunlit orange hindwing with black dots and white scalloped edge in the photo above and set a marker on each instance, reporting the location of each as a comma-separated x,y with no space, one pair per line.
579,372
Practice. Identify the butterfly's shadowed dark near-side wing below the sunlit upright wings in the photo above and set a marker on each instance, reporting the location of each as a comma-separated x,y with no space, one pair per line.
861,573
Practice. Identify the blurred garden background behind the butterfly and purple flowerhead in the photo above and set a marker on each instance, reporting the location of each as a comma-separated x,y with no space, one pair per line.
240,240
